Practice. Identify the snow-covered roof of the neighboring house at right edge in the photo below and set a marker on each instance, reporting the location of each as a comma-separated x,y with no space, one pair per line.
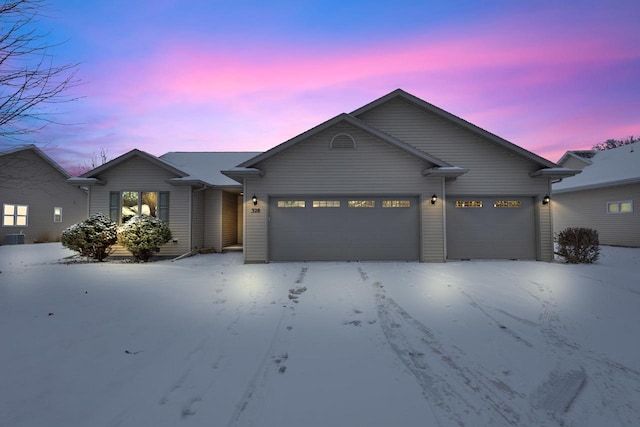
608,167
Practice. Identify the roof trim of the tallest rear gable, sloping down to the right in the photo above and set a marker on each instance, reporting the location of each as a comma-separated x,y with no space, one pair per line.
457,121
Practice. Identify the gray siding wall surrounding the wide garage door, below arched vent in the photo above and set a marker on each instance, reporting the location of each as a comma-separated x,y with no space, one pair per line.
373,168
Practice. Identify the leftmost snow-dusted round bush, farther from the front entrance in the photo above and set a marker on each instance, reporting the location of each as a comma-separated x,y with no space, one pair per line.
92,237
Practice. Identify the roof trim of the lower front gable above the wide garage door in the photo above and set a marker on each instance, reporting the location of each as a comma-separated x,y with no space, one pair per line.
354,121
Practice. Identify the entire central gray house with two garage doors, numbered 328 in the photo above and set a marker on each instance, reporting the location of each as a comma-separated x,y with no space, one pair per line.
398,179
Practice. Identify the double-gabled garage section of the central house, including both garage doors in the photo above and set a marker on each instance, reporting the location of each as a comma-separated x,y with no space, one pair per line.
398,179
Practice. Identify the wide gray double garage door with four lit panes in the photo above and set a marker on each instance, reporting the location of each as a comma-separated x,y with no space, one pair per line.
344,228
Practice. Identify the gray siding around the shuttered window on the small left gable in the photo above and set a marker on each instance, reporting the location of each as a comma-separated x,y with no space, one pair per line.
140,175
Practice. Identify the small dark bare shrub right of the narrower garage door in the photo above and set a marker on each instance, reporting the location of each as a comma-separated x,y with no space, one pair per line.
579,245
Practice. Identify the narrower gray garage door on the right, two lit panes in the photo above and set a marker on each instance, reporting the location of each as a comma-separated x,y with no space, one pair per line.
490,228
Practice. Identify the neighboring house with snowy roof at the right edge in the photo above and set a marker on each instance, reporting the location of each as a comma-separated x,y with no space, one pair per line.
604,196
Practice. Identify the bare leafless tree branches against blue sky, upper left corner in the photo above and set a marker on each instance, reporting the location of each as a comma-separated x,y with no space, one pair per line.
30,80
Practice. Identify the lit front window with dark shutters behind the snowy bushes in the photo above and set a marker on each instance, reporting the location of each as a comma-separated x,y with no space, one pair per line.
127,204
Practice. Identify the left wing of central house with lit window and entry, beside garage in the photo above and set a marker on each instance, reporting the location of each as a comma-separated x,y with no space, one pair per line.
187,190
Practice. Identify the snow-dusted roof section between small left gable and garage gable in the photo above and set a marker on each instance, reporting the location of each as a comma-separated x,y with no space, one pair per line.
206,166
